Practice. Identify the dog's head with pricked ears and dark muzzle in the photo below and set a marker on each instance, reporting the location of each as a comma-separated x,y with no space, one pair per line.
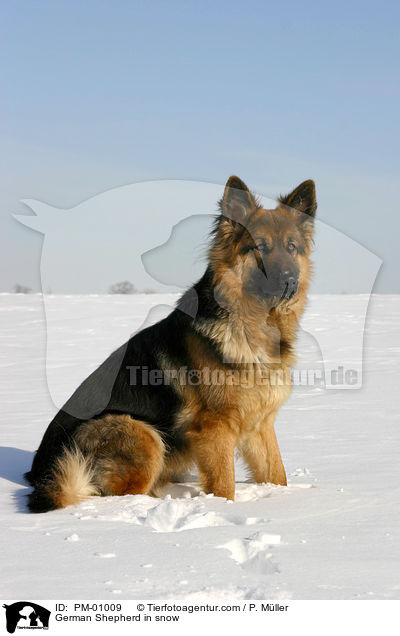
260,254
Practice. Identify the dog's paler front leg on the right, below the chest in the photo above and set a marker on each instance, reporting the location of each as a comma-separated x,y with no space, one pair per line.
261,452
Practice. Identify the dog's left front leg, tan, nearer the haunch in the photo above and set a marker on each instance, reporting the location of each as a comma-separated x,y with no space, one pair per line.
213,441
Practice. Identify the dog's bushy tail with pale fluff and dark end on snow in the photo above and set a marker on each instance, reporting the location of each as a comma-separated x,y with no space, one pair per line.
70,481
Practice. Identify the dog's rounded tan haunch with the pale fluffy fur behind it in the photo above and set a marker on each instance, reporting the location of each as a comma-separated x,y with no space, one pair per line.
113,455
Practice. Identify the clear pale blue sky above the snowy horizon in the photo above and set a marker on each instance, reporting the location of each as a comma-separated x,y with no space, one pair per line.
101,94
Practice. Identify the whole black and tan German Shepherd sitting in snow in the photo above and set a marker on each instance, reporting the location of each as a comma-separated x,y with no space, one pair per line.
138,420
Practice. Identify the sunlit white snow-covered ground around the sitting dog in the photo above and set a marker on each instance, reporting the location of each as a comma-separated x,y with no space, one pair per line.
333,533
